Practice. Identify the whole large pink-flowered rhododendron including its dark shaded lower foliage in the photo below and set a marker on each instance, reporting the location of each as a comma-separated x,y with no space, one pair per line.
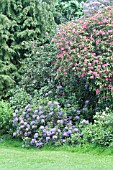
84,64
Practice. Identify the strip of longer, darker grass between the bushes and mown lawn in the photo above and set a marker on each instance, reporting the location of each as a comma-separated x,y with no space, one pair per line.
16,144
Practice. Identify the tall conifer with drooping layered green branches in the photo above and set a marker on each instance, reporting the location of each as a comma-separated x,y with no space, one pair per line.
21,21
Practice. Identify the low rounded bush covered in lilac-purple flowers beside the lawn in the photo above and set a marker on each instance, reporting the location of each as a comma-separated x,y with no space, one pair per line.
47,123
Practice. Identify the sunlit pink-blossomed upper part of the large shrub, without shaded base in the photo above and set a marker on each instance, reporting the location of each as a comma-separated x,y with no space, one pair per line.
87,49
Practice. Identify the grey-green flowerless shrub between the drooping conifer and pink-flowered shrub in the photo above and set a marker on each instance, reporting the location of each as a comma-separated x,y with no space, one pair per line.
36,69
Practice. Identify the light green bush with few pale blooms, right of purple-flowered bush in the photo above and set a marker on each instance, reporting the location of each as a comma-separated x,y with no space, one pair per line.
101,132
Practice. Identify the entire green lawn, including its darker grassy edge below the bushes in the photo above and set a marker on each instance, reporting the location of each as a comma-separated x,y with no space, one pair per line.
13,157
